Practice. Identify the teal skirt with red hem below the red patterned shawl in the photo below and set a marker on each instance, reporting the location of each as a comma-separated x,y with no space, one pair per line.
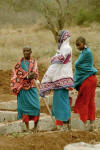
28,105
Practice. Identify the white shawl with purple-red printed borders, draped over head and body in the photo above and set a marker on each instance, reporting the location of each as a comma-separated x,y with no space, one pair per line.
59,74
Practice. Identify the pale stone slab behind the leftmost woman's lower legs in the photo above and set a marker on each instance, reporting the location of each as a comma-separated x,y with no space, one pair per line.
45,124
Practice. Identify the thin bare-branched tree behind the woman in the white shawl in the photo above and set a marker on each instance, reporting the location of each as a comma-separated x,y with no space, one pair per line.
57,13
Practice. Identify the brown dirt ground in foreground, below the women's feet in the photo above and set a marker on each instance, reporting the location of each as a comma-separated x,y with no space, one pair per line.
47,141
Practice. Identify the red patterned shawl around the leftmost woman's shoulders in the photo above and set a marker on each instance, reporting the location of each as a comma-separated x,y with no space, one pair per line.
19,80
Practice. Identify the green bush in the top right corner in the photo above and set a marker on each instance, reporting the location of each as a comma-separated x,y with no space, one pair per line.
89,12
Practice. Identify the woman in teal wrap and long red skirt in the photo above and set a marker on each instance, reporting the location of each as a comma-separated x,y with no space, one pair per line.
85,82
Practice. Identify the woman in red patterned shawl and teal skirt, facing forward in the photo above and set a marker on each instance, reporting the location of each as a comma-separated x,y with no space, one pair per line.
23,85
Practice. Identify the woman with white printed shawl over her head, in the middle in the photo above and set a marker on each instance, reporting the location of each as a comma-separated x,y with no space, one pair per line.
59,77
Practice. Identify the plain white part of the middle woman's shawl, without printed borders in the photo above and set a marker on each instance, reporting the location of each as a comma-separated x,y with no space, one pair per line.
58,70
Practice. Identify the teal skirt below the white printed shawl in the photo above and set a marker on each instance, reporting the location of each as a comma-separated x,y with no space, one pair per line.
61,105
